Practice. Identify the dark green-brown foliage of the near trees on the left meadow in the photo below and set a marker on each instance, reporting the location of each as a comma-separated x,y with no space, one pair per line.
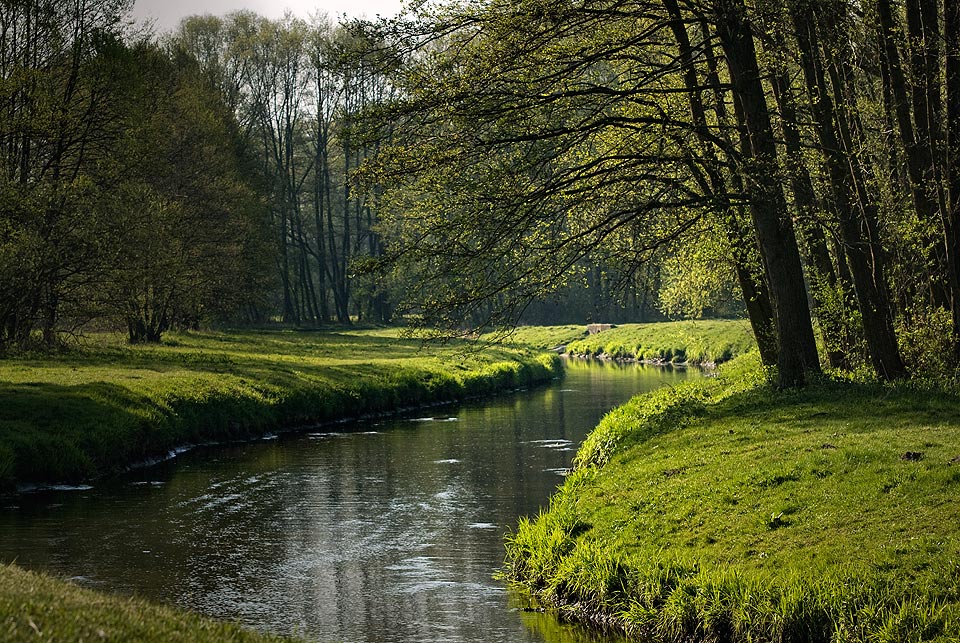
122,194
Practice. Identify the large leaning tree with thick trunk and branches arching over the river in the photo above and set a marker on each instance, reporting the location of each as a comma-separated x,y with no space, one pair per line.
546,135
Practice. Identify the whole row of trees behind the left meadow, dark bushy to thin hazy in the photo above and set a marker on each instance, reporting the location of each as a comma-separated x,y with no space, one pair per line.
155,182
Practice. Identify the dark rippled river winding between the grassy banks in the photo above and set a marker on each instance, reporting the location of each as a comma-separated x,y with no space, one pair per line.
382,531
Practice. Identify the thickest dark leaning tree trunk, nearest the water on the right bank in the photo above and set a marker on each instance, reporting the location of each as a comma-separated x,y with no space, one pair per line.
768,207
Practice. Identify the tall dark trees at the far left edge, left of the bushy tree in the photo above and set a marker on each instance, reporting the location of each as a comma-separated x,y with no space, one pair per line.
58,120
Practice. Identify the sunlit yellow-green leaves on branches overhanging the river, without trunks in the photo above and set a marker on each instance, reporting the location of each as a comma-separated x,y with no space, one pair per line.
503,186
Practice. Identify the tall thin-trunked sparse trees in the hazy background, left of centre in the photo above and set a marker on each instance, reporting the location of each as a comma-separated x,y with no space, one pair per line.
297,88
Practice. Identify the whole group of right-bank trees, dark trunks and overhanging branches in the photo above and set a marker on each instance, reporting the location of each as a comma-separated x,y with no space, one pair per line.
816,142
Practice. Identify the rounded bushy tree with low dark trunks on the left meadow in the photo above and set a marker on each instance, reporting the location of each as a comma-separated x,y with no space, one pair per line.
185,218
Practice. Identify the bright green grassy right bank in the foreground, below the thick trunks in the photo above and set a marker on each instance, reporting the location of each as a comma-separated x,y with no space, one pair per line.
725,510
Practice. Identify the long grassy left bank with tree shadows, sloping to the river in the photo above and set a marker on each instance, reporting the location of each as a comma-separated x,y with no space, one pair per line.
105,404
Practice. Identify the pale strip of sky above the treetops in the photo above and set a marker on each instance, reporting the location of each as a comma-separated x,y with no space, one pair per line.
166,14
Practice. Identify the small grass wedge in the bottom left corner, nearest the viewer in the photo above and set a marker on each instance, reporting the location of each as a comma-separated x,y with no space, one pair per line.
39,608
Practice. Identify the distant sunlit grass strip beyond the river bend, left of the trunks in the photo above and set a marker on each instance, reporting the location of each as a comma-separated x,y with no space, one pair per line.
695,342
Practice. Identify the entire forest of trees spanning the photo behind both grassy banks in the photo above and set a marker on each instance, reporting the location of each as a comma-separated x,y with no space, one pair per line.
473,165
